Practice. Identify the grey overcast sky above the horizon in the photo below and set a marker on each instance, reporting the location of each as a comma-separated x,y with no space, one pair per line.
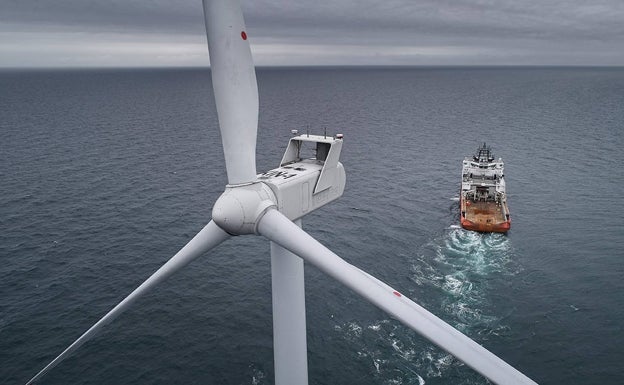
129,33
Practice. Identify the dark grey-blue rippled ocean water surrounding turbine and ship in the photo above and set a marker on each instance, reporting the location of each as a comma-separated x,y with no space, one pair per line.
106,174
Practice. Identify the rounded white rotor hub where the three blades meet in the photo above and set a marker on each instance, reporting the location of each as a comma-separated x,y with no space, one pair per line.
240,207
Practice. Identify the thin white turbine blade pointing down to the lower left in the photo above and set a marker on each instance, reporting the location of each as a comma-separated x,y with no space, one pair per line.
210,236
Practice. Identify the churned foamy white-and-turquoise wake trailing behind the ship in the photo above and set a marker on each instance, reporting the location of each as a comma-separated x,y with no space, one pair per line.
453,273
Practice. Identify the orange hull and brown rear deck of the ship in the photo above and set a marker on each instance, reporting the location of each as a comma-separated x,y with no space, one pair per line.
485,217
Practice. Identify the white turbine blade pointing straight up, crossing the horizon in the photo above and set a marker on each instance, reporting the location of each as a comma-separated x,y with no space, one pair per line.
235,87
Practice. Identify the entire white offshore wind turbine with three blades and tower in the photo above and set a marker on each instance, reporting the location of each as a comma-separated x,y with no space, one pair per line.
272,204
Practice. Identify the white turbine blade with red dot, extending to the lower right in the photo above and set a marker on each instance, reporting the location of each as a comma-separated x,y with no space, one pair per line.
279,229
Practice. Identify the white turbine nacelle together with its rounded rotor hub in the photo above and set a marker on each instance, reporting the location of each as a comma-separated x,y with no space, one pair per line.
296,188
